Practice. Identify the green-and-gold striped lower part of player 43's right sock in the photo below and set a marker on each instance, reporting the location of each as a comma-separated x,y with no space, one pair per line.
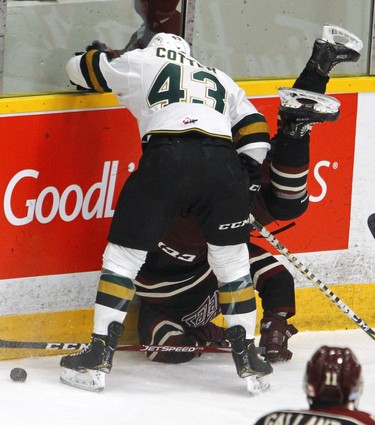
237,302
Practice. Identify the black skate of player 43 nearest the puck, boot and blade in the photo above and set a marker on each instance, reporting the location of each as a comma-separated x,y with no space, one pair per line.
86,369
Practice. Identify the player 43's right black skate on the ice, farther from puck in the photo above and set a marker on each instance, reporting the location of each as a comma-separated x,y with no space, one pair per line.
246,360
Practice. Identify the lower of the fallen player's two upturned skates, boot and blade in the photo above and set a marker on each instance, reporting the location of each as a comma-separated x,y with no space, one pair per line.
300,109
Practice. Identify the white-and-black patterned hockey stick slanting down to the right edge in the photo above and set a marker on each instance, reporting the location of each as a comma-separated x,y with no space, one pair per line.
306,272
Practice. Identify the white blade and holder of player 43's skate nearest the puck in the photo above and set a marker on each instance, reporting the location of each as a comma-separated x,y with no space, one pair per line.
89,380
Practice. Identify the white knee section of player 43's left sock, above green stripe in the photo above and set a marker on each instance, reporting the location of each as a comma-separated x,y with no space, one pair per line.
123,261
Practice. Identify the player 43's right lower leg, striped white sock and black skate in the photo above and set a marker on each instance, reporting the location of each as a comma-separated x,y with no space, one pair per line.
237,301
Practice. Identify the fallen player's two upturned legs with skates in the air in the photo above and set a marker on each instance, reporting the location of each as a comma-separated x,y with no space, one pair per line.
301,107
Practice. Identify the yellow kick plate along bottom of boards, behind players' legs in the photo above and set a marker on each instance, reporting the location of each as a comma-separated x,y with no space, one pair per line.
315,312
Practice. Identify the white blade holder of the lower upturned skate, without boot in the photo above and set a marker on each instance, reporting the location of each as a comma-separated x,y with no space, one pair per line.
295,98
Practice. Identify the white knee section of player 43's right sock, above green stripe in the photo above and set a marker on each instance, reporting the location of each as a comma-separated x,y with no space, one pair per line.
229,263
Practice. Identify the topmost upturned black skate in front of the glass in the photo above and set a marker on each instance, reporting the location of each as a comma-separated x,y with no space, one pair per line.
328,52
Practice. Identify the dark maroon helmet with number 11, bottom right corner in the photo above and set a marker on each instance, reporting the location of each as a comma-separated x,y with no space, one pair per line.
333,376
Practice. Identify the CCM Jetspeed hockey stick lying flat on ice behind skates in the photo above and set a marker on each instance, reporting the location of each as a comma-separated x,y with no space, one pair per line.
70,346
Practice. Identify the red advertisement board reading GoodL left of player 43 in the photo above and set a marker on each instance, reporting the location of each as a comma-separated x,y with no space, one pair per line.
60,177
